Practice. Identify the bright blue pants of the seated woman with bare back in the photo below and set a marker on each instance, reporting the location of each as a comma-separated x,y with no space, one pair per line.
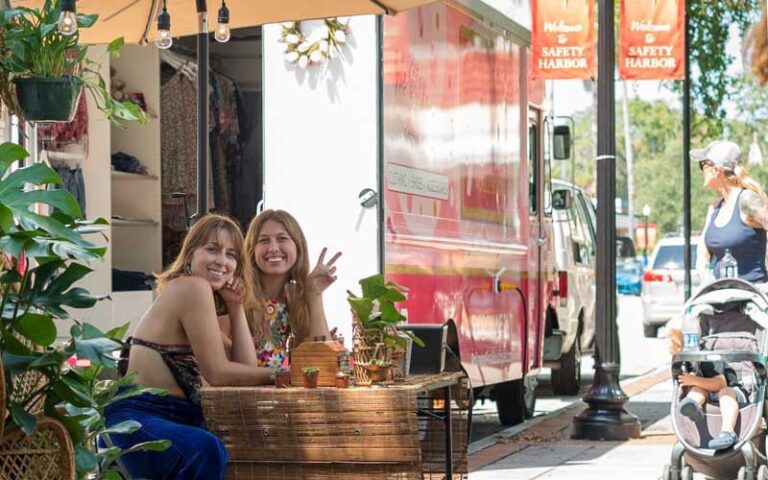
195,453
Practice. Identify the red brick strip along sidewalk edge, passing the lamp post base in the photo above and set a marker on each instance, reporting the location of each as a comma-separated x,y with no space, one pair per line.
501,444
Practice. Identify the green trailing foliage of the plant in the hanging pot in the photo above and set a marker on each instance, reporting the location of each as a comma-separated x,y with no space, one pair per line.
31,46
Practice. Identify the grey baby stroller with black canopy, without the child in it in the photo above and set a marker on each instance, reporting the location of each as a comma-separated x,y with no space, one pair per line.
733,319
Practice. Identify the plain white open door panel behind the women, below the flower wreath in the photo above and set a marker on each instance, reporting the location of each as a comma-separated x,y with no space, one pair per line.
320,150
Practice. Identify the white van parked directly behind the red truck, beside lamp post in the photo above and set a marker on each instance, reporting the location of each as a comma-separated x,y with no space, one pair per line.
571,328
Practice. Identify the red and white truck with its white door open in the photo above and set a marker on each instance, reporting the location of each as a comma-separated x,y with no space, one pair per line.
444,148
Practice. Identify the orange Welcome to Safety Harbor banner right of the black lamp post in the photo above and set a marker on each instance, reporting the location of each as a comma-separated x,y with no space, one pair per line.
652,40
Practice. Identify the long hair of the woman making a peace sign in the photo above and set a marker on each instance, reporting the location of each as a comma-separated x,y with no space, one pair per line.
294,290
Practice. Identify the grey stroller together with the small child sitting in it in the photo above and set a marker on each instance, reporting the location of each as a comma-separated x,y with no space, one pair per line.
722,441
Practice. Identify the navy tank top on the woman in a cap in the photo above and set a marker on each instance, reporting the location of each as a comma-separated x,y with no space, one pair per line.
747,244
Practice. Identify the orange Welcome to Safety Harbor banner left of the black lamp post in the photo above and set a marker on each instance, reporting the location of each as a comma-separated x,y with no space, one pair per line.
563,39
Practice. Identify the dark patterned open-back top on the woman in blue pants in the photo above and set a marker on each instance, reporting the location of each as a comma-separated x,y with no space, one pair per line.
180,360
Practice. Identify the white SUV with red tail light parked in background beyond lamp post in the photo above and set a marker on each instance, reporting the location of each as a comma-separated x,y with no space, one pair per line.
664,283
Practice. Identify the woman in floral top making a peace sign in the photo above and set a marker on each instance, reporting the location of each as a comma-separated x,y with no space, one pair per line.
288,297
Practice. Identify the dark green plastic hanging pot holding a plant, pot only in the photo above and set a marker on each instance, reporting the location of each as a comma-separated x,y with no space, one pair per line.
48,99
